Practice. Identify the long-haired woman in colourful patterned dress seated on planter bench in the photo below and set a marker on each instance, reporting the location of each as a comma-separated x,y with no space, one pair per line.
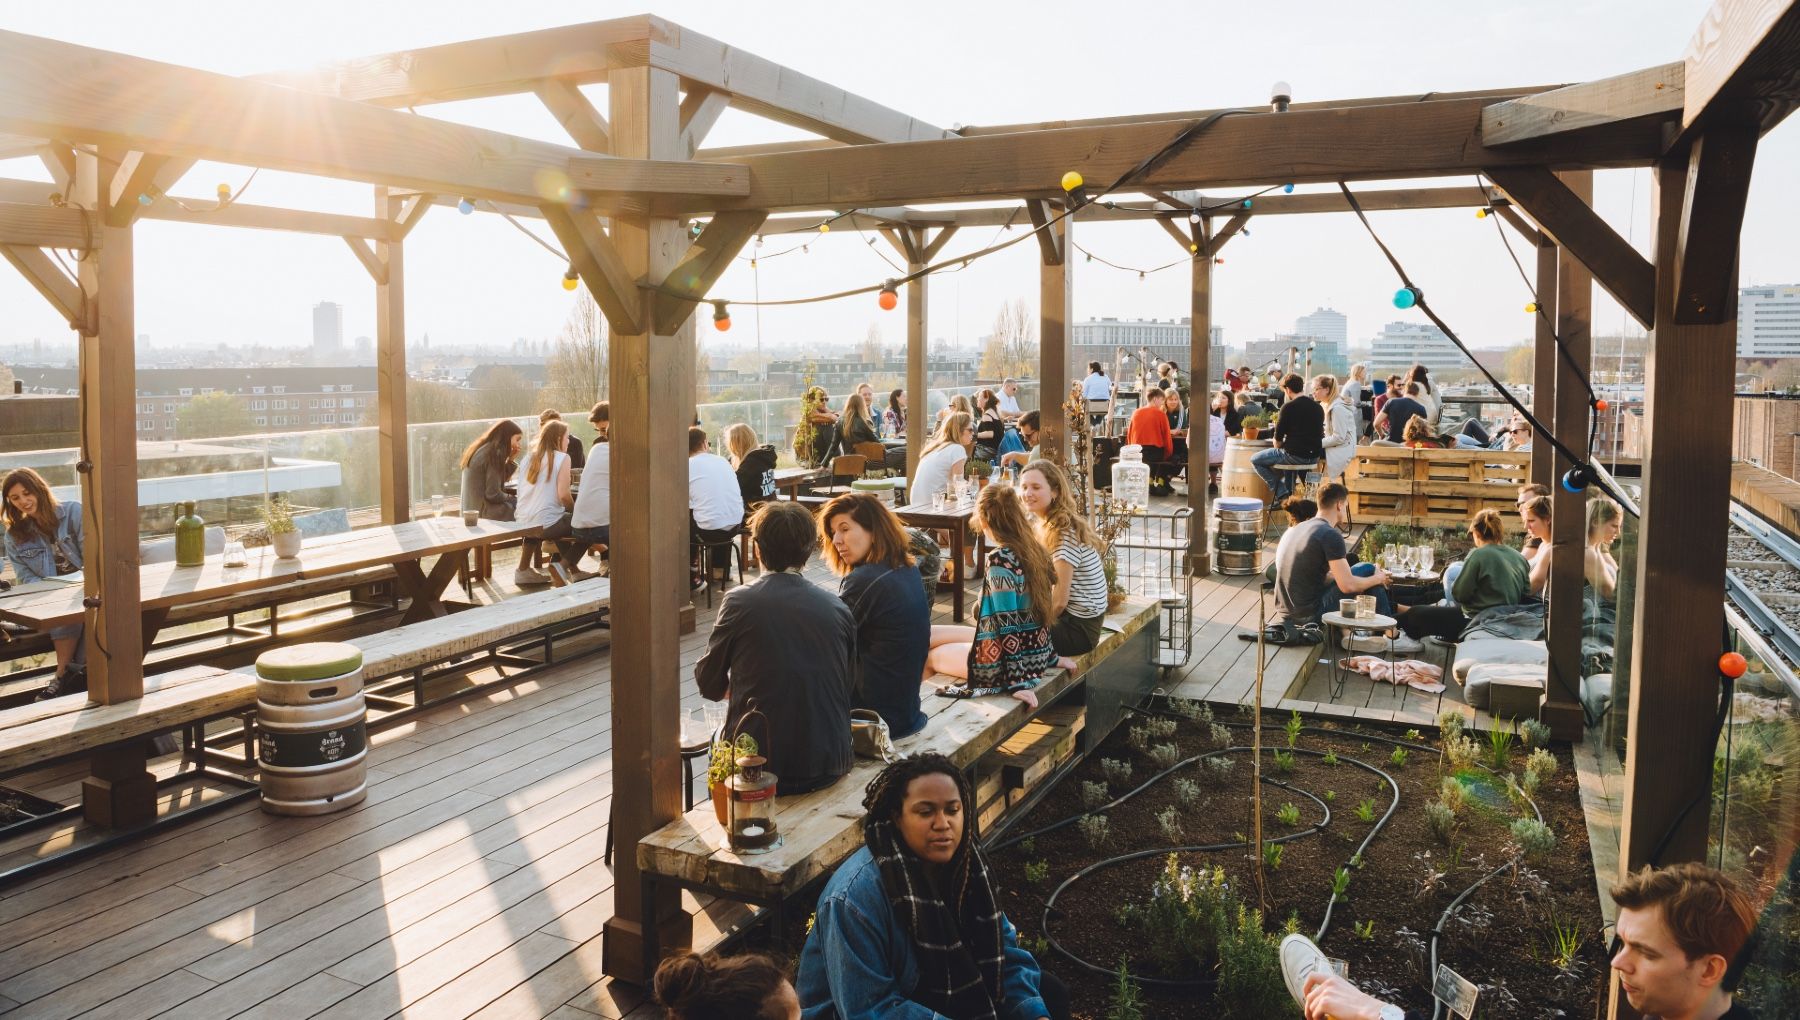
1009,649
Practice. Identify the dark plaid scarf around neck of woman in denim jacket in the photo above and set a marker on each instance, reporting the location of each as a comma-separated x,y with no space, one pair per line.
958,947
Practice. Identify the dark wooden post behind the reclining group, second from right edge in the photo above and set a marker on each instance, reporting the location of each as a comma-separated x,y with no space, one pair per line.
1569,519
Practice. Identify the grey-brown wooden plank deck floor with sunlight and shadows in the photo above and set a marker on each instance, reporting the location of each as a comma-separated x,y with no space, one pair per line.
469,884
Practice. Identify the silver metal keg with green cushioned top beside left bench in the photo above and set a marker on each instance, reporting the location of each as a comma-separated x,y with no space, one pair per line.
310,728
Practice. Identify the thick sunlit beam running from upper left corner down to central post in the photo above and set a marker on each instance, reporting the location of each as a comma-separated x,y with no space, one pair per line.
80,94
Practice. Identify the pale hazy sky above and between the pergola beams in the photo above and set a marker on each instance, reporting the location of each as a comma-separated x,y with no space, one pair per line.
478,280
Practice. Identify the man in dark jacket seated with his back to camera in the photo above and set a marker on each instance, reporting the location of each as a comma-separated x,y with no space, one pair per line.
784,647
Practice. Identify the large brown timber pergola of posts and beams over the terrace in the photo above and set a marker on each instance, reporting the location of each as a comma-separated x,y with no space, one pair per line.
118,132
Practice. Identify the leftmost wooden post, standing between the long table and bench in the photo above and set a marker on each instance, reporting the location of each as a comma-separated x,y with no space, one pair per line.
120,791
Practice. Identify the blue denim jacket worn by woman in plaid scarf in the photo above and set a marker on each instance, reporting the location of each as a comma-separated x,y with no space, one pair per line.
859,962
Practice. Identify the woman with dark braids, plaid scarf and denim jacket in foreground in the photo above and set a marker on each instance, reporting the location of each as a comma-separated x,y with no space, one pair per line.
910,927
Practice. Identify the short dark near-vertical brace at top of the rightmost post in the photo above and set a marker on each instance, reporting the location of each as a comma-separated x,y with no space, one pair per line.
1713,217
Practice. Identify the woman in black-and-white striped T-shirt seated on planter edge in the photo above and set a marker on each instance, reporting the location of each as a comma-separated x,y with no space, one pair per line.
1079,600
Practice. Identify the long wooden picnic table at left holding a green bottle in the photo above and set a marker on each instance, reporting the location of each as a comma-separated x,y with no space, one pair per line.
53,604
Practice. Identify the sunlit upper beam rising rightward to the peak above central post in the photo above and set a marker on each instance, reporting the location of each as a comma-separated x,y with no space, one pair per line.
476,69
